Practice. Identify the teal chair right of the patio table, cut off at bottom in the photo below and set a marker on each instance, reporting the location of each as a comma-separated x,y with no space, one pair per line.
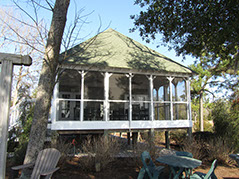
210,174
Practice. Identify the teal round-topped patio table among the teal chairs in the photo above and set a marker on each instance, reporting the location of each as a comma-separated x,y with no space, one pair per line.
178,164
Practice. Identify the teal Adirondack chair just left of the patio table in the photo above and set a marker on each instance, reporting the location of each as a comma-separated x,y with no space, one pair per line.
149,169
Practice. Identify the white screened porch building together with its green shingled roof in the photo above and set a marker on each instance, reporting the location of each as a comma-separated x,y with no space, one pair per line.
113,83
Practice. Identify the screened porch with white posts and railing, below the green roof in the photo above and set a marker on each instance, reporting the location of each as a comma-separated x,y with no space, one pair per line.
95,100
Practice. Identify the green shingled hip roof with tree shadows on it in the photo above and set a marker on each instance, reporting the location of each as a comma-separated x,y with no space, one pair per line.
113,49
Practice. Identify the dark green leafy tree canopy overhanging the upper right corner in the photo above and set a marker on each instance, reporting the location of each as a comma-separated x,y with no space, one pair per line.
194,27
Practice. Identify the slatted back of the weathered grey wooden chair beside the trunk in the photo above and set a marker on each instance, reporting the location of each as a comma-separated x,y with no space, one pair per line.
47,159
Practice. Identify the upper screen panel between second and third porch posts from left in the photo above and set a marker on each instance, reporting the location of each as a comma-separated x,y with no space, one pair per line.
94,86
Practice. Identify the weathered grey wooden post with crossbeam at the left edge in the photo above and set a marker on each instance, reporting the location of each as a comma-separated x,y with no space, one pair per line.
7,61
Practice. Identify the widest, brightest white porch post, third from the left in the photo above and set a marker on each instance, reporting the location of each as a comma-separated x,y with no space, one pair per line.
106,91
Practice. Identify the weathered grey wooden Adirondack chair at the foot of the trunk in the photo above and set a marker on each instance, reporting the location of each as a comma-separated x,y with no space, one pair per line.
45,164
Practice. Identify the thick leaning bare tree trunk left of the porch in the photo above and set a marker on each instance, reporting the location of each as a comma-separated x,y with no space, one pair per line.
47,81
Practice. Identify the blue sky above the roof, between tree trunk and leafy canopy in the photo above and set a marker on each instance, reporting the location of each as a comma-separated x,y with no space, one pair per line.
116,14
